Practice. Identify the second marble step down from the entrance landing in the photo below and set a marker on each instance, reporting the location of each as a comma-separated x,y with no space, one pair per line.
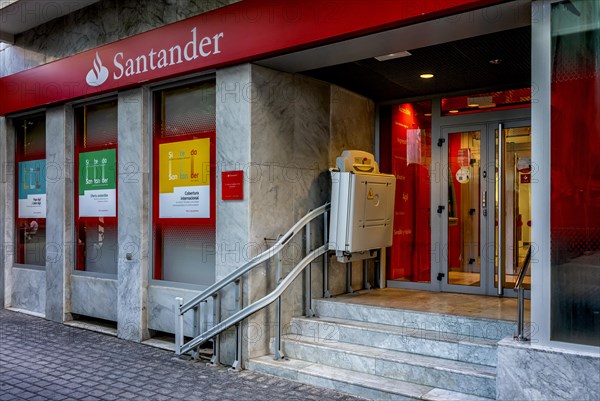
406,339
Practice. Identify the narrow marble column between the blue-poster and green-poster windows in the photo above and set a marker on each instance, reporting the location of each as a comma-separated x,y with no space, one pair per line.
59,212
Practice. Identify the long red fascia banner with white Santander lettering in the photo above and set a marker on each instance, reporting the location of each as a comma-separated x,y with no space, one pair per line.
244,31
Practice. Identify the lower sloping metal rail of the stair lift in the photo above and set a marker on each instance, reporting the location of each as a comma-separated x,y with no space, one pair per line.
258,305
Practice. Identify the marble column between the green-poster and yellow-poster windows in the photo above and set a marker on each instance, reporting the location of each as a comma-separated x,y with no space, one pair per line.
133,186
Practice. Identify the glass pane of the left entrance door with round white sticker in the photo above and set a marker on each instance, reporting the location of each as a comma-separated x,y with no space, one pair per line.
464,259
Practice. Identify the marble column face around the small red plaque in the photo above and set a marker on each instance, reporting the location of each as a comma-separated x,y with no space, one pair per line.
233,153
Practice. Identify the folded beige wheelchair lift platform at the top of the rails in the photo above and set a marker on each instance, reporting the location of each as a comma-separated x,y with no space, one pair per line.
362,206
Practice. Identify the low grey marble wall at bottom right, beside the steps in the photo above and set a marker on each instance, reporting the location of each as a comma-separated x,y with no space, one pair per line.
533,372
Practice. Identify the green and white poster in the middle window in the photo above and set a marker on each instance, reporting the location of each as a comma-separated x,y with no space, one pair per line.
98,183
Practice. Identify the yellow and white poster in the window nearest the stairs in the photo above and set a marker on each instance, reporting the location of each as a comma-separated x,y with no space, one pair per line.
184,179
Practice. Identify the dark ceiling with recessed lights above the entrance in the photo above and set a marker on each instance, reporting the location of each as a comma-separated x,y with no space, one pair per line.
460,67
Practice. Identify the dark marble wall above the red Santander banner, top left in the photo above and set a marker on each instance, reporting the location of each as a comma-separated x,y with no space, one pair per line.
100,23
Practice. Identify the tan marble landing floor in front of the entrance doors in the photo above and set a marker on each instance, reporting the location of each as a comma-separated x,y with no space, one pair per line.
477,306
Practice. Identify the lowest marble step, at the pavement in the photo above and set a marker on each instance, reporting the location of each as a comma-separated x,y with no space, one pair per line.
355,383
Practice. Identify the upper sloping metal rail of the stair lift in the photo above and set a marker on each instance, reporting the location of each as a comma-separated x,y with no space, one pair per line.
252,263
